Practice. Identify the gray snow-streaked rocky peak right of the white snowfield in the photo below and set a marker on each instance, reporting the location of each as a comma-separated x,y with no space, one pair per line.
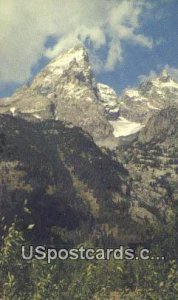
153,95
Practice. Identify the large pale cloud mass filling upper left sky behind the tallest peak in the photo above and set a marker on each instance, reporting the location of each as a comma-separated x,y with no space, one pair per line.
25,25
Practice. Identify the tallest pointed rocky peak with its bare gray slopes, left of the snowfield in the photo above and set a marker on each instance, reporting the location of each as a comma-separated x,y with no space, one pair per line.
65,90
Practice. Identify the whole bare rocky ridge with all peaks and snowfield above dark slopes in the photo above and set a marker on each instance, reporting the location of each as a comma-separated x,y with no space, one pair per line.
66,90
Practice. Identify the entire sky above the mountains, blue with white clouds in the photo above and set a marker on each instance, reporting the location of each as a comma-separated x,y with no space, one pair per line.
137,39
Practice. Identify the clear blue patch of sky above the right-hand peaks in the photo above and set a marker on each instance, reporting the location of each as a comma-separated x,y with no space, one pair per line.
162,26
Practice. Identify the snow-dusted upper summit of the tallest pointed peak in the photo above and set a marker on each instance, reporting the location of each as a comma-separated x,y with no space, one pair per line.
70,65
